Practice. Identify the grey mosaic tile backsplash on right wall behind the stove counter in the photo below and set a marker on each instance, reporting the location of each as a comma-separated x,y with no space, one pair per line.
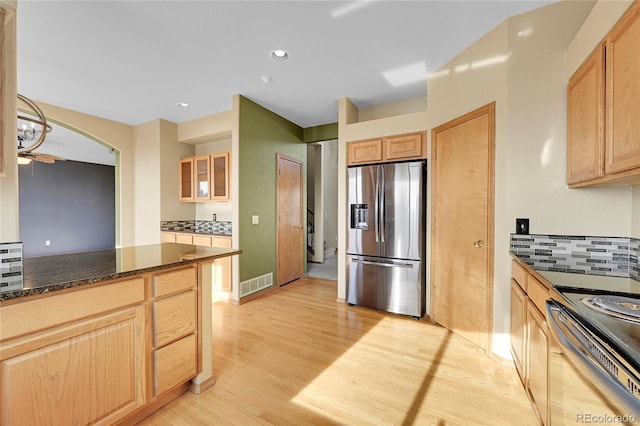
612,256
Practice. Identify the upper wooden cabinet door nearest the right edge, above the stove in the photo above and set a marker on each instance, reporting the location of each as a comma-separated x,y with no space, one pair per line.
623,93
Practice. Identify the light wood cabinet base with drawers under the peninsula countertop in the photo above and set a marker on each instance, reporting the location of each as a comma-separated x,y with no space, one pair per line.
100,355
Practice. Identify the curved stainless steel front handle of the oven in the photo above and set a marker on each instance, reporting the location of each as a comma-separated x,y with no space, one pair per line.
560,324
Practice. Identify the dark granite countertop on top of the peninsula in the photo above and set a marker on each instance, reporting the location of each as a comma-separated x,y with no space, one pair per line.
51,273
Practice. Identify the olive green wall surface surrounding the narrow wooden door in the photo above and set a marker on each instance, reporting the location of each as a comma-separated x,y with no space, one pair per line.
262,135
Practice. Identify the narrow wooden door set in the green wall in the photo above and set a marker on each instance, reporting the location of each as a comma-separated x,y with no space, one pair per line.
290,239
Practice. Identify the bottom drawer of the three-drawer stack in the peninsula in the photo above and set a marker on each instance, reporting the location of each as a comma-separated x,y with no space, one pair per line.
175,364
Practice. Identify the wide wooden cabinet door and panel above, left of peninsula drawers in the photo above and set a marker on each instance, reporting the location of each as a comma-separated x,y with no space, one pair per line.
83,362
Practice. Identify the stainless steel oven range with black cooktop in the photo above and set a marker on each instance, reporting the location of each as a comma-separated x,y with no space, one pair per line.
594,360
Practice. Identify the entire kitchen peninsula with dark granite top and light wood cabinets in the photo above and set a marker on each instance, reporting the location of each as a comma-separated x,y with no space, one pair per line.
106,336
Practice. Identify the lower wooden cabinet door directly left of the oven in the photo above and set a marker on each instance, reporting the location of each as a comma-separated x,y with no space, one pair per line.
538,363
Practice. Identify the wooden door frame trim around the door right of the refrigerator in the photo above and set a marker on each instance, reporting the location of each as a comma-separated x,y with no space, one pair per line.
488,109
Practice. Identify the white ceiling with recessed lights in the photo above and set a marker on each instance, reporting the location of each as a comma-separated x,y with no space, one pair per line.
133,61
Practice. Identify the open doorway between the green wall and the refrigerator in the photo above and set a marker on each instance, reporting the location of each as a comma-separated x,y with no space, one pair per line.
322,209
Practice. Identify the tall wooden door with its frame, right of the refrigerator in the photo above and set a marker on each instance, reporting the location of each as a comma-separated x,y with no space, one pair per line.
462,153
